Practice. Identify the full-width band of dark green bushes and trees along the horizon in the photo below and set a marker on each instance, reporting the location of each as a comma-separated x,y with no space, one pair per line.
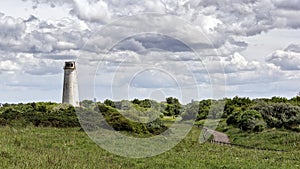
146,116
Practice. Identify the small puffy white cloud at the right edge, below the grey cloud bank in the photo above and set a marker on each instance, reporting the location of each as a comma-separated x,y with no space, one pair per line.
287,59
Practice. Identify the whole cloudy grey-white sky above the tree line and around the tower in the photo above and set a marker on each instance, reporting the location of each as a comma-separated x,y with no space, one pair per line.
189,49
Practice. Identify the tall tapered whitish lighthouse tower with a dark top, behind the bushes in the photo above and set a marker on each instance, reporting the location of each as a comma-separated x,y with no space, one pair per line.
70,90
